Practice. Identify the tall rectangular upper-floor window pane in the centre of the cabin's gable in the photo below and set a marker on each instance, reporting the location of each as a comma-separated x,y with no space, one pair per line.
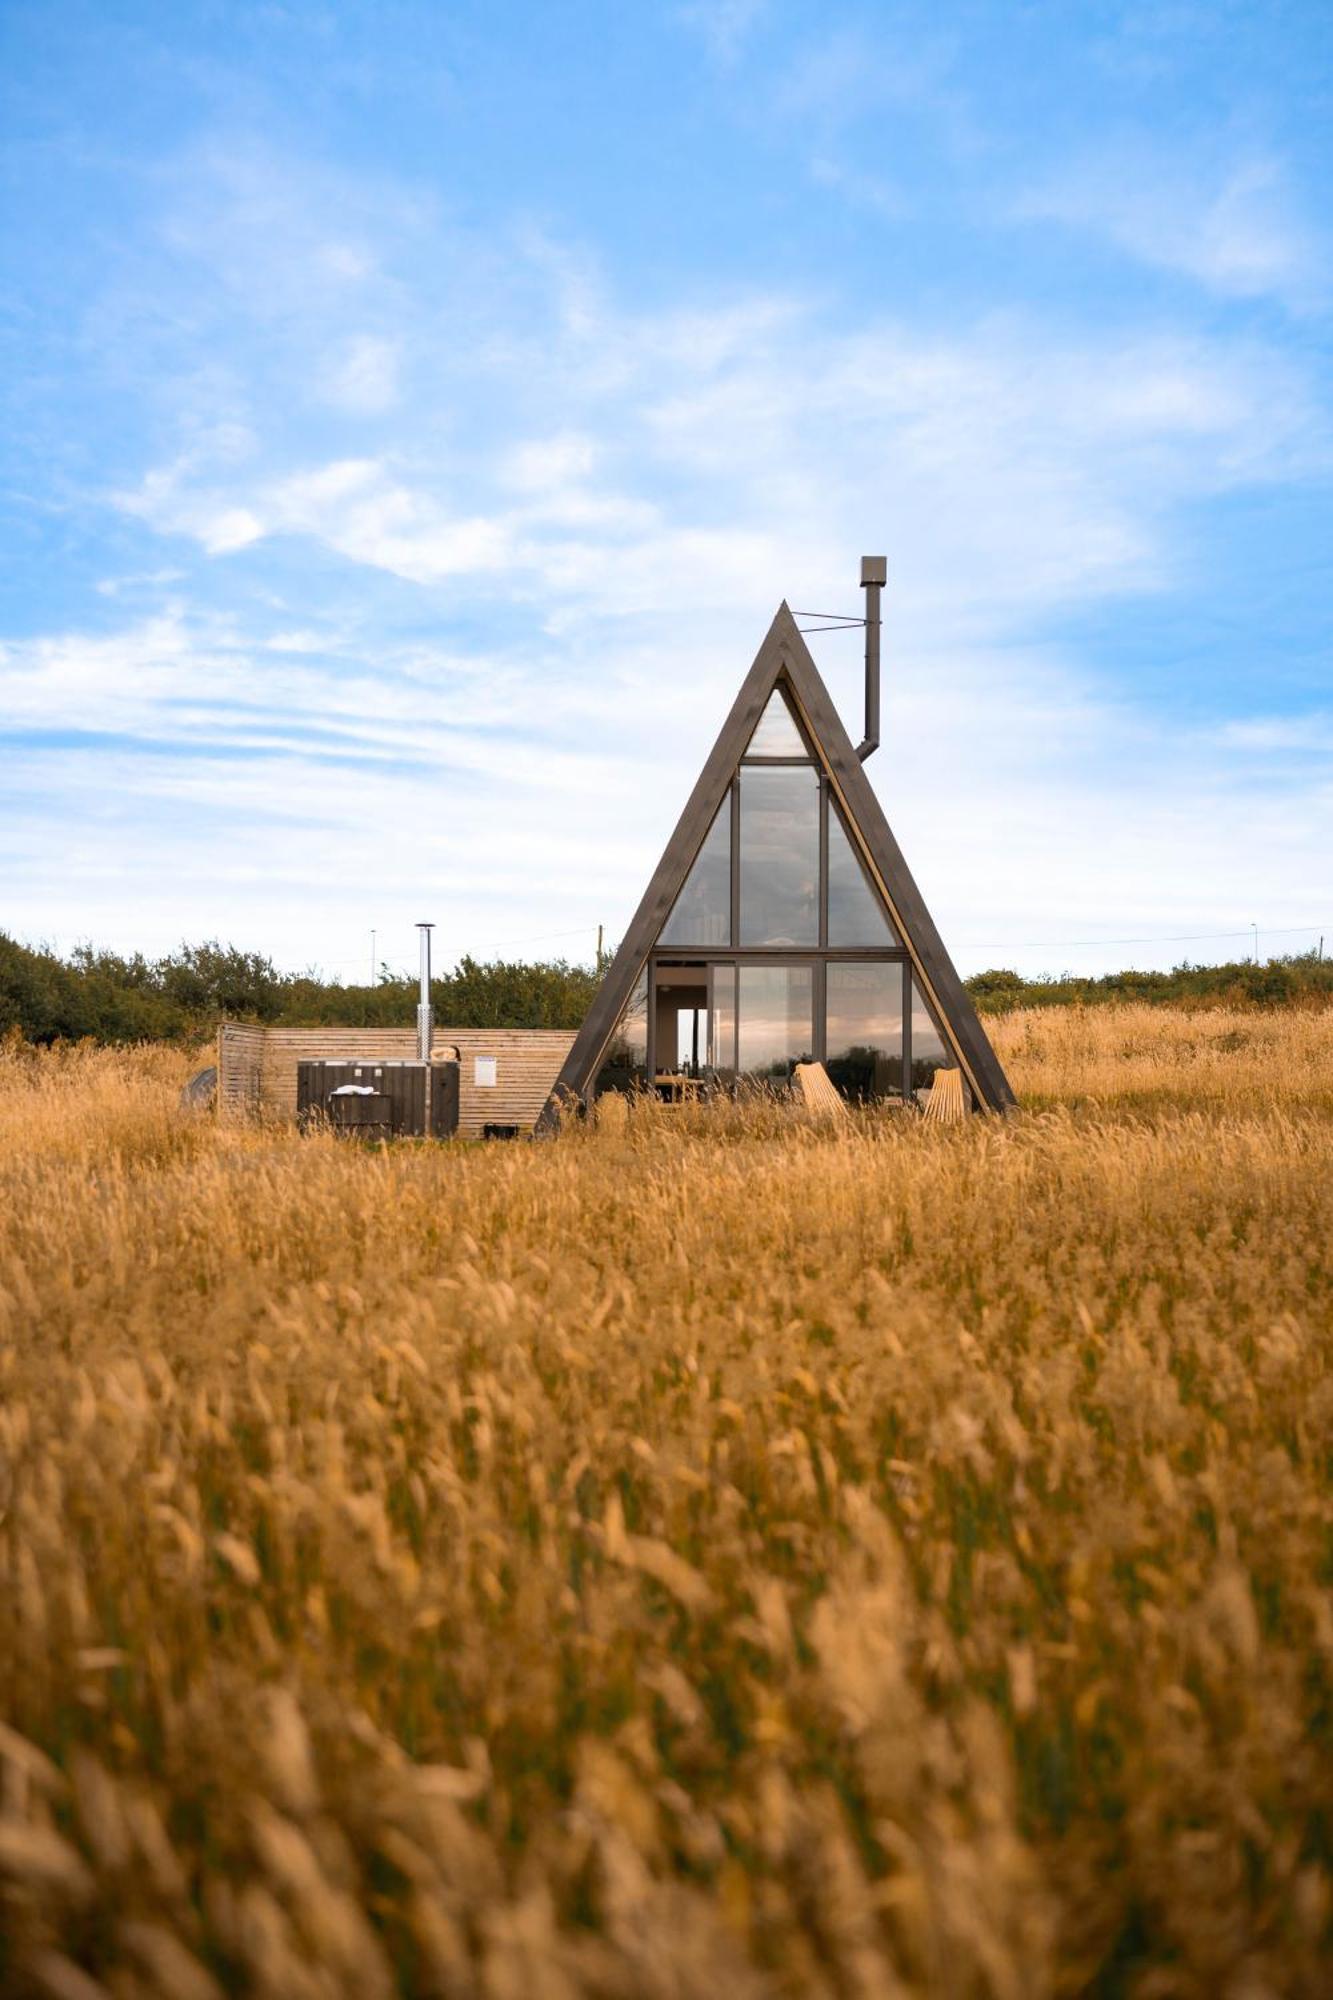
780,857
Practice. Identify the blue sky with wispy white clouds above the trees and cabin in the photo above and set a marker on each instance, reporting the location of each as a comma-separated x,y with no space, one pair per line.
413,415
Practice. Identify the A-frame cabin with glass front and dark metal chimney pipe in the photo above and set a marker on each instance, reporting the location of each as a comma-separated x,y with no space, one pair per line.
782,925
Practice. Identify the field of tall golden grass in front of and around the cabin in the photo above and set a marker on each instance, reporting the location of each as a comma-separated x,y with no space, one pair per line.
718,1559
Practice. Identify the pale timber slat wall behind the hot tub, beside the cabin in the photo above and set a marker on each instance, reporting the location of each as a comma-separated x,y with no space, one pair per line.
257,1067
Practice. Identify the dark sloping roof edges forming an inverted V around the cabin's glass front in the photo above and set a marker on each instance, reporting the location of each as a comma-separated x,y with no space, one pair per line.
786,659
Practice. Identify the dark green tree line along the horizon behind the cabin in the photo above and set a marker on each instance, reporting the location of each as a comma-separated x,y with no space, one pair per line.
183,997
